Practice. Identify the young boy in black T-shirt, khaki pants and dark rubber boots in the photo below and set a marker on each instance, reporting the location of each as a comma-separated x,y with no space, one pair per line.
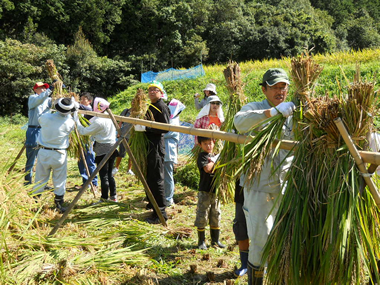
208,207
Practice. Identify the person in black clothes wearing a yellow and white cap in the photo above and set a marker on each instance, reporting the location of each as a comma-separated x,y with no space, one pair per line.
158,112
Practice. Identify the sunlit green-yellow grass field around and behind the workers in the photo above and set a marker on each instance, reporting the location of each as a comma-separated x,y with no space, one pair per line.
109,243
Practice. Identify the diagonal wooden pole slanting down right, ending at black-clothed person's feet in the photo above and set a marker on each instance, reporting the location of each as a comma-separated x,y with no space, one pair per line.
139,173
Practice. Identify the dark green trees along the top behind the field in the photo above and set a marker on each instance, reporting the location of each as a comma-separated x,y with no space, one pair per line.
103,46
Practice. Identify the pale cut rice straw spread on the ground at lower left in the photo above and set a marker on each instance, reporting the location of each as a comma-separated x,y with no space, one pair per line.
78,253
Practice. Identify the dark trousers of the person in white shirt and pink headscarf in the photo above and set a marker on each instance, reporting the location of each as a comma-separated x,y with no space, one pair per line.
106,179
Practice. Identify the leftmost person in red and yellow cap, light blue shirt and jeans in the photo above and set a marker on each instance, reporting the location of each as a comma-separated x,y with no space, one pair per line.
38,104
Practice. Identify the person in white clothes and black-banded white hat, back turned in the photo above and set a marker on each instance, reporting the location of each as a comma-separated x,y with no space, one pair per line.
53,142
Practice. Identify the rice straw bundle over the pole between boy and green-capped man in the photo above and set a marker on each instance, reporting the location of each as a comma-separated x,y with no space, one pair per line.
225,168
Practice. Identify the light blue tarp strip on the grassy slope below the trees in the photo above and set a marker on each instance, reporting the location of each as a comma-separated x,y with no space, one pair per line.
172,74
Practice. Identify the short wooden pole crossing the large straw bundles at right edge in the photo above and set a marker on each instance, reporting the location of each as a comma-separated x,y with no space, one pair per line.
358,160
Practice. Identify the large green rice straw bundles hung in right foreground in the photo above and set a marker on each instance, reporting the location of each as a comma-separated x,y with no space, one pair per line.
326,228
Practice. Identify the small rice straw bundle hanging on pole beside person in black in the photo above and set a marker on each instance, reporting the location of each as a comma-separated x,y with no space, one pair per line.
138,140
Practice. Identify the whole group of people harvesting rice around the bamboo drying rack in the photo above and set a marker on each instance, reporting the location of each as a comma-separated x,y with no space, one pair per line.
256,201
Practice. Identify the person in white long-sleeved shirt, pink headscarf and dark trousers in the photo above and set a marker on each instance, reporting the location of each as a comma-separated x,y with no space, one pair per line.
103,132
